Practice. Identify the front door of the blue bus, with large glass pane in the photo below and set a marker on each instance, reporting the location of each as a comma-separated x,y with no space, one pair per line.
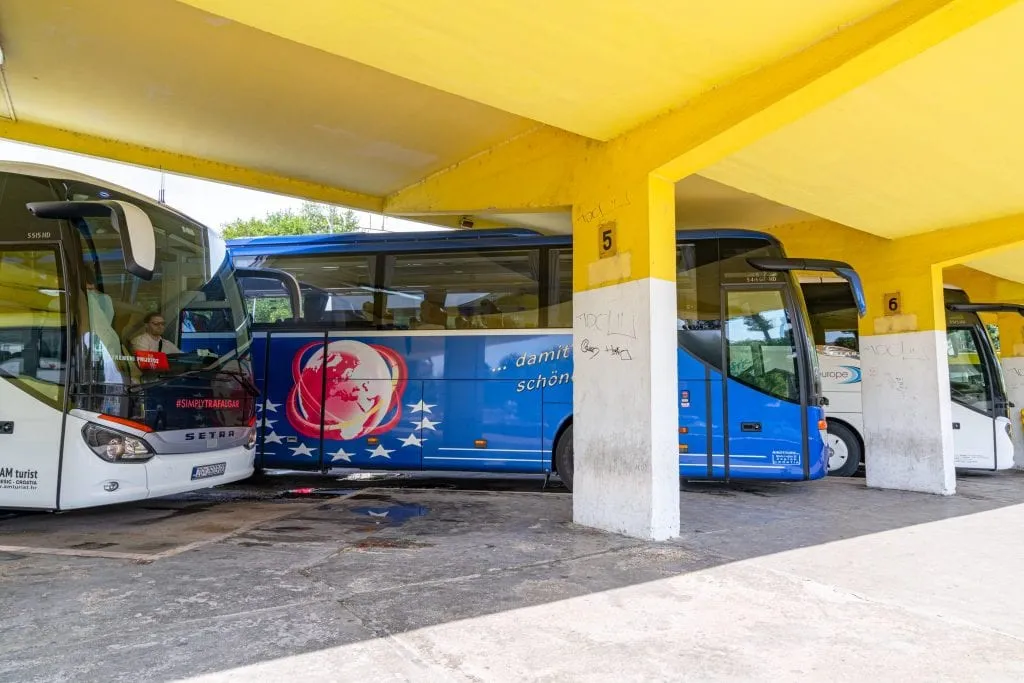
764,405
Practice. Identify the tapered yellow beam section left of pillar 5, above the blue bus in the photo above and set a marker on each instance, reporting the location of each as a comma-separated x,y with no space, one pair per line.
533,172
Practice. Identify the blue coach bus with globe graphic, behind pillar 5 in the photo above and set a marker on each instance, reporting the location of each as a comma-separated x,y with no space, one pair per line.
453,351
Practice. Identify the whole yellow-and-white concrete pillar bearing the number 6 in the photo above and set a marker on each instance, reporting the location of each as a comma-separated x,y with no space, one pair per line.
907,406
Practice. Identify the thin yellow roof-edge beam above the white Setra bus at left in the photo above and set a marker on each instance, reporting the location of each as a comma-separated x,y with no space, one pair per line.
192,166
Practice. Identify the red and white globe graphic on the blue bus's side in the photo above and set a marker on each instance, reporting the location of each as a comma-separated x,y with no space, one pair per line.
362,395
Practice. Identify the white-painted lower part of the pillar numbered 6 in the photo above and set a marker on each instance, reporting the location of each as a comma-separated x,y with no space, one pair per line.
908,414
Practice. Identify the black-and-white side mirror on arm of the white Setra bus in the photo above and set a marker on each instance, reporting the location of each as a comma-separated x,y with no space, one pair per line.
139,240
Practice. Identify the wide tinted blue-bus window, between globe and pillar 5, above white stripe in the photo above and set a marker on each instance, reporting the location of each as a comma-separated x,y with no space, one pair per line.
463,290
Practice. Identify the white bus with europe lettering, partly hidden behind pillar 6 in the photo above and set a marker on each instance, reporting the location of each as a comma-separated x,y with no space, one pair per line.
980,407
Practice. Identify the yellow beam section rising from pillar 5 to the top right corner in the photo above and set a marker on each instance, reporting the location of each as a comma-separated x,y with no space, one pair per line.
732,117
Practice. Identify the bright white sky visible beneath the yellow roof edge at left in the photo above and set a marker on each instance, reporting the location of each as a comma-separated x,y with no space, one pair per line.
212,204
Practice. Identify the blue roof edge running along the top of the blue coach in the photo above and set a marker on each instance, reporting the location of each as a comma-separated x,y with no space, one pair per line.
363,242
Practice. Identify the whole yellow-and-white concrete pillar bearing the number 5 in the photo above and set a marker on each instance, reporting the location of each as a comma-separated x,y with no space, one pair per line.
626,448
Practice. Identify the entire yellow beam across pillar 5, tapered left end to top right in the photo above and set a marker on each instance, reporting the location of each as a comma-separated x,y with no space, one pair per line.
540,168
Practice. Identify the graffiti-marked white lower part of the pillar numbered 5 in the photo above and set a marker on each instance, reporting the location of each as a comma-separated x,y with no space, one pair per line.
626,424
